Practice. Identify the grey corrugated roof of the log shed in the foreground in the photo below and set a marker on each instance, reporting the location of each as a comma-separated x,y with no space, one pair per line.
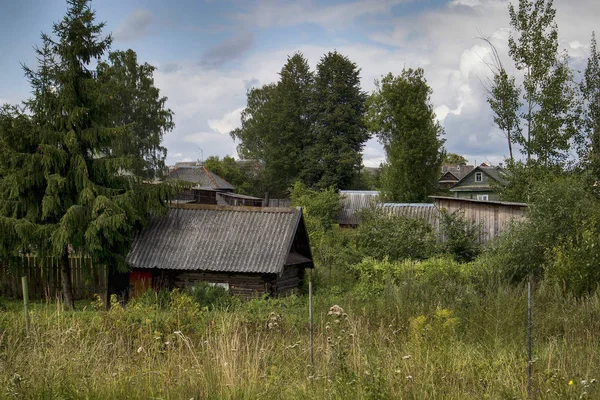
217,239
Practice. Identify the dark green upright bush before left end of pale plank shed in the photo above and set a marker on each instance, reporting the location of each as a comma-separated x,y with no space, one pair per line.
460,236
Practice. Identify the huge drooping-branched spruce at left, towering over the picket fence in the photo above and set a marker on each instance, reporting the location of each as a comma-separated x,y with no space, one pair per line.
64,187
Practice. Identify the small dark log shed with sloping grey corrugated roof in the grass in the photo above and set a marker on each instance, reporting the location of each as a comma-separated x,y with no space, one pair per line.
248,250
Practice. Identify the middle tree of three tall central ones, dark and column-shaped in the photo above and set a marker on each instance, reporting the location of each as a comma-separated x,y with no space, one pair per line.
338,131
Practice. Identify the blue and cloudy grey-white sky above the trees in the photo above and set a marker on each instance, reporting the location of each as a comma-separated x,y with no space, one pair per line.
208,53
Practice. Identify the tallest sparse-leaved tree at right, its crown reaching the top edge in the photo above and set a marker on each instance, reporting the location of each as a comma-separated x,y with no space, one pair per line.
551,113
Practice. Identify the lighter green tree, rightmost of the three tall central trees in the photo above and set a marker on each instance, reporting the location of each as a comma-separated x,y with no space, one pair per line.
401,114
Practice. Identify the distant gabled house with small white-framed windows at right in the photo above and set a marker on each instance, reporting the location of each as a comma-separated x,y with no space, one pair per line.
479,183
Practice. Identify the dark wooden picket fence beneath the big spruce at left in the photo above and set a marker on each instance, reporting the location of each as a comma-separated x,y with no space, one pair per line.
43,274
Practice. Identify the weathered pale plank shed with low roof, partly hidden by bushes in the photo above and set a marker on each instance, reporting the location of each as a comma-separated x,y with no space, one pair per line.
494,216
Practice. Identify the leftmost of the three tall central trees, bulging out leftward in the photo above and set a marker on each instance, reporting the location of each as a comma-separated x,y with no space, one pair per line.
276,123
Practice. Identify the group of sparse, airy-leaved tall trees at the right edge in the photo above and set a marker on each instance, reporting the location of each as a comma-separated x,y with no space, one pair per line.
551,117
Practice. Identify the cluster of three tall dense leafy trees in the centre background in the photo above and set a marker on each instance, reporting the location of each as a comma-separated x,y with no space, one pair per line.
311,127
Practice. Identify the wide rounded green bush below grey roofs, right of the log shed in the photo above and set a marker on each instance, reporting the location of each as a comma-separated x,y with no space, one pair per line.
395,237
